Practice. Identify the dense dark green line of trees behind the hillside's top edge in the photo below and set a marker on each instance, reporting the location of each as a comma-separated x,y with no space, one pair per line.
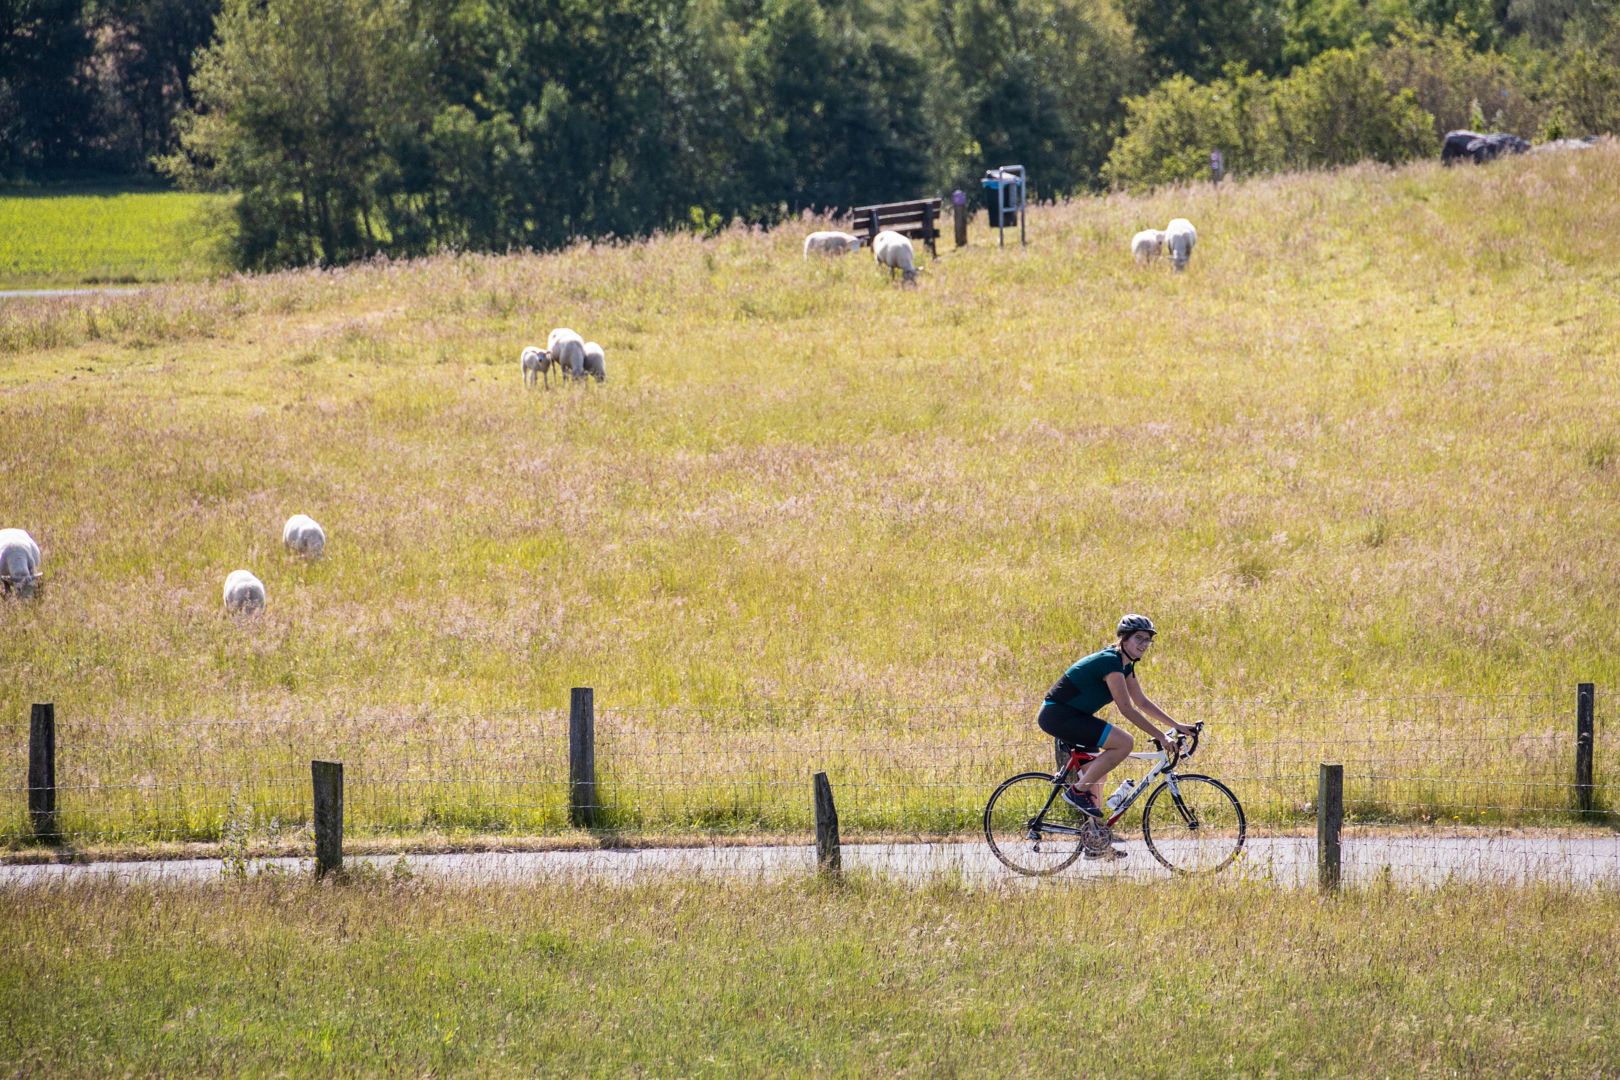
404,127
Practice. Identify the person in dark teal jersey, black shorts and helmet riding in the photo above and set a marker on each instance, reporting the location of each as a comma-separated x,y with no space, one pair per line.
1091,684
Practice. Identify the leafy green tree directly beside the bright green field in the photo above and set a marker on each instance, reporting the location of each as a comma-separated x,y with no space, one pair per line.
302,108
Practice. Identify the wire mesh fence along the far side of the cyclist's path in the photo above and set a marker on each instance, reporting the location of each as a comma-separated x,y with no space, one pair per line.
1443,773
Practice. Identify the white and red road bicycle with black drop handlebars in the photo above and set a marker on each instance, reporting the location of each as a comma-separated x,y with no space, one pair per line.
1192,823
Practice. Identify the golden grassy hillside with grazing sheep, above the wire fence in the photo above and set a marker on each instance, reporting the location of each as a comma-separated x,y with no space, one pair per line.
1368,444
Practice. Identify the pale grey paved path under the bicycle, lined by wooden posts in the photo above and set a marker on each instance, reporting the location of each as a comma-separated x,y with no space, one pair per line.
1287,861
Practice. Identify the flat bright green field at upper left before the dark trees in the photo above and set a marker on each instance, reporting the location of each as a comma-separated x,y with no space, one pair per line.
53,240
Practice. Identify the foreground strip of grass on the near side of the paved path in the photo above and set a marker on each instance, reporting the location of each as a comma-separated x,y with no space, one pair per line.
801,979
